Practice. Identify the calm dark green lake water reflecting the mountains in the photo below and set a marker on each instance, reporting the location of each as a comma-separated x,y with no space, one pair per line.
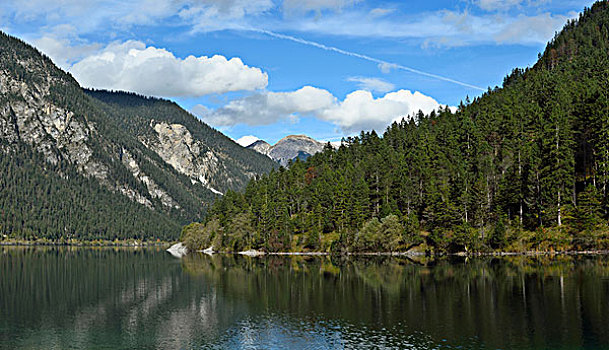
61,298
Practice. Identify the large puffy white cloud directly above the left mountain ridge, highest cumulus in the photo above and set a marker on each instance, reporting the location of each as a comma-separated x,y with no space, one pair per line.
148,70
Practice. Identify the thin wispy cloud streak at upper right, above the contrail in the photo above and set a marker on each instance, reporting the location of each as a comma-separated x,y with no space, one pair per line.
441,28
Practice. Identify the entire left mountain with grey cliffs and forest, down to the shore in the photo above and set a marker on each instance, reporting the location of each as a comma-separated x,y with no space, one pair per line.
103,165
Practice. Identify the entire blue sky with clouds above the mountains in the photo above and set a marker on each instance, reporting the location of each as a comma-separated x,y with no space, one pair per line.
271,68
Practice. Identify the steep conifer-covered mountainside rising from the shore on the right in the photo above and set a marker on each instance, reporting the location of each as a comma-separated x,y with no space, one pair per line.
522,167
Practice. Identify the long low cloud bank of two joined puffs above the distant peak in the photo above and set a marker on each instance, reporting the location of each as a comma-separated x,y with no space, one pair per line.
360,110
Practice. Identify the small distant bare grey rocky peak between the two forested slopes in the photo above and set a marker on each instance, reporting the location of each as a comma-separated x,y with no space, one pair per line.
289,148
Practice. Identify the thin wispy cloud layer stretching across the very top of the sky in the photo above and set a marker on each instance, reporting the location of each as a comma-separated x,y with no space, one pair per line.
341,18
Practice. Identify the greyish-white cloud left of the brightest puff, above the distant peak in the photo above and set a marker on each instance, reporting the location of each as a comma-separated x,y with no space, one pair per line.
269,107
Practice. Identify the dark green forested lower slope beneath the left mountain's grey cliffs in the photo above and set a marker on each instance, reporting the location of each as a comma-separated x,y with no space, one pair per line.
53,202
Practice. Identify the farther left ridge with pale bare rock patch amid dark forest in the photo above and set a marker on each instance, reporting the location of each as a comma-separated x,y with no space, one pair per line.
204,154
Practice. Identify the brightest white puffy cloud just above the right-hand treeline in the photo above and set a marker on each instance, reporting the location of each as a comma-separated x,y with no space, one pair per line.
361,111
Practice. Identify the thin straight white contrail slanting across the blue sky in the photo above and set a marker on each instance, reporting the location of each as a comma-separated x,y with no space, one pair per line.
364,57
